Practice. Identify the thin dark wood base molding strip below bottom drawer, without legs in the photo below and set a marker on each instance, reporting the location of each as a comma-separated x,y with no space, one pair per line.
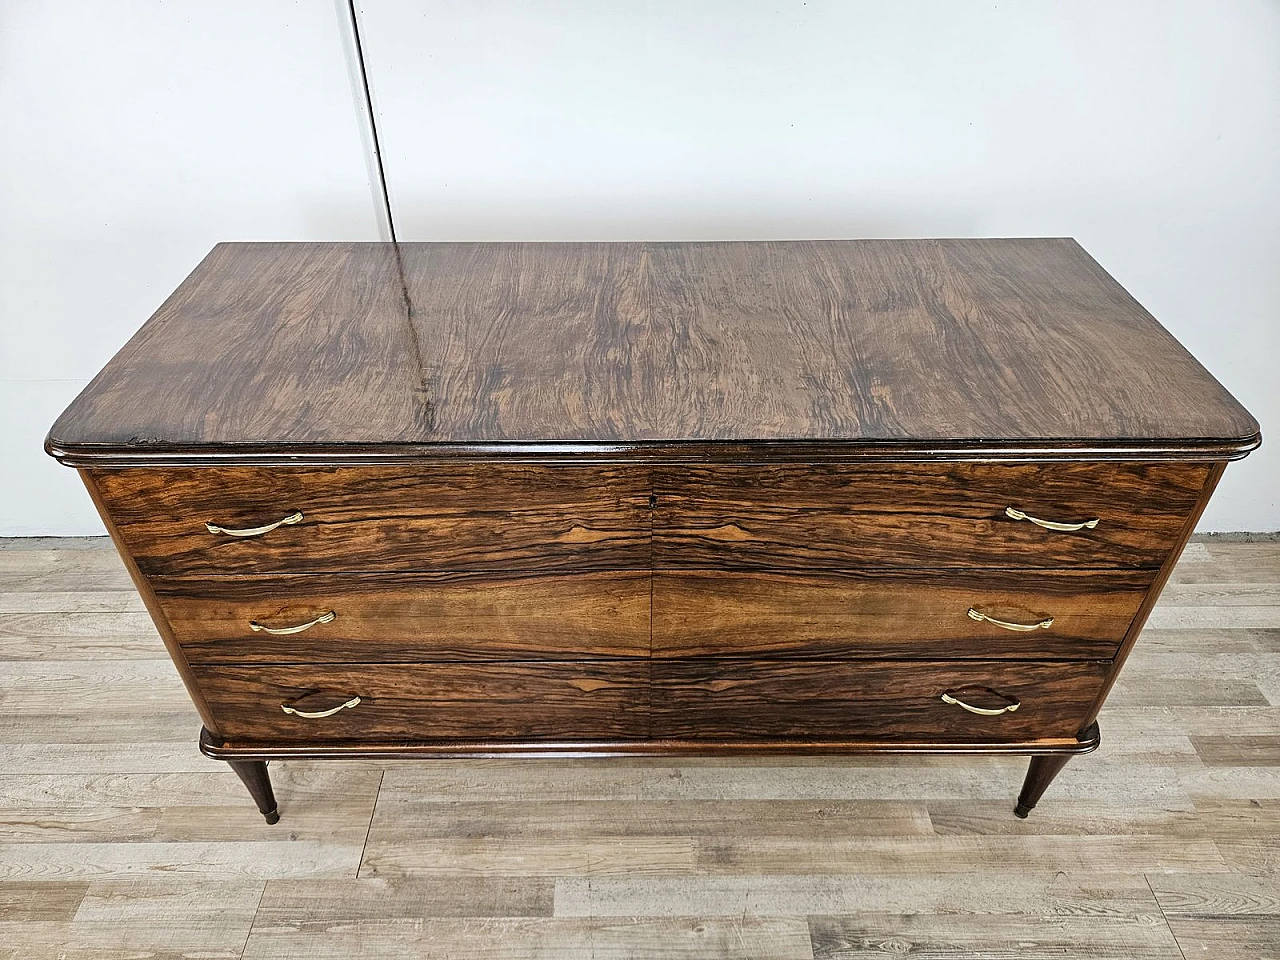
222,749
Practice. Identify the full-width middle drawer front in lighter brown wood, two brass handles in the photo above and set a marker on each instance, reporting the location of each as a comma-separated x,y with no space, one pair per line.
412,618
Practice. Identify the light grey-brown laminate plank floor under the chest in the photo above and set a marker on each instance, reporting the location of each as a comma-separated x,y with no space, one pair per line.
120,840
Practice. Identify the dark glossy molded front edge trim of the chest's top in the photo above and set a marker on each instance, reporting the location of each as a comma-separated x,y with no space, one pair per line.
107,456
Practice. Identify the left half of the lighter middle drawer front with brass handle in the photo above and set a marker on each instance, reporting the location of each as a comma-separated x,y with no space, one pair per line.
408,616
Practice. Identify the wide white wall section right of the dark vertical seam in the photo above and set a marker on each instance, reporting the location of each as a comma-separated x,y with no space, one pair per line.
1149,131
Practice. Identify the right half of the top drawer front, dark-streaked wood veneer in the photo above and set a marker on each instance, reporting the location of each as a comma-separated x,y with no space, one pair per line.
932,515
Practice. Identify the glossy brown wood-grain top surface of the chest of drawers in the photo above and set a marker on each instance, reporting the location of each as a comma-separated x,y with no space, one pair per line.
592,346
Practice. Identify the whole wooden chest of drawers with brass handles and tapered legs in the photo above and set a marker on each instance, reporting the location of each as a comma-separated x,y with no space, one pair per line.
473,500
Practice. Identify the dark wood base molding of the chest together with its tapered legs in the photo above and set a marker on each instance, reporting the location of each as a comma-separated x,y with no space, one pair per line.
249,760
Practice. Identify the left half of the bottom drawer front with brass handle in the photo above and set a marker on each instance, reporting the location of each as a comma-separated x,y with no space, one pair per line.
428,702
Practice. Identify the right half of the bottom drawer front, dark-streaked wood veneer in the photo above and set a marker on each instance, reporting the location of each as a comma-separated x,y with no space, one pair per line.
871,701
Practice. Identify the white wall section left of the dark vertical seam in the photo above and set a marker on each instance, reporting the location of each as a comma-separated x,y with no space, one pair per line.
134,136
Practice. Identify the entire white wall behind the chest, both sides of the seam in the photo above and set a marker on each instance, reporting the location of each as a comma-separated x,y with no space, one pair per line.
136,136
